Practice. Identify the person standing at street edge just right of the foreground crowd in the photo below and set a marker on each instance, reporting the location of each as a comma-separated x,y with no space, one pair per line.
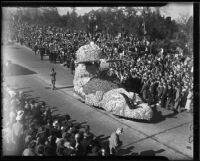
114,142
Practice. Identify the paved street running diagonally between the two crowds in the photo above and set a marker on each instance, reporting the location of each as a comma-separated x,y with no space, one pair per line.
166,136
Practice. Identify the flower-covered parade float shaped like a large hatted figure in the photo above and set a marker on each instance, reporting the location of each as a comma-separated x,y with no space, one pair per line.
95,88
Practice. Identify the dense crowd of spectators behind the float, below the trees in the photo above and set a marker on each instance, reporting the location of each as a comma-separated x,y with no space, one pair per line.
162,77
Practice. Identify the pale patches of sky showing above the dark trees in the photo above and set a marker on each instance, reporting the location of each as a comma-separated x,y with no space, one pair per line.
172,9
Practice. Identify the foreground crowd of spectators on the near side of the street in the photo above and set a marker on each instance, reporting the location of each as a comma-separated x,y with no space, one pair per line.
30,129
